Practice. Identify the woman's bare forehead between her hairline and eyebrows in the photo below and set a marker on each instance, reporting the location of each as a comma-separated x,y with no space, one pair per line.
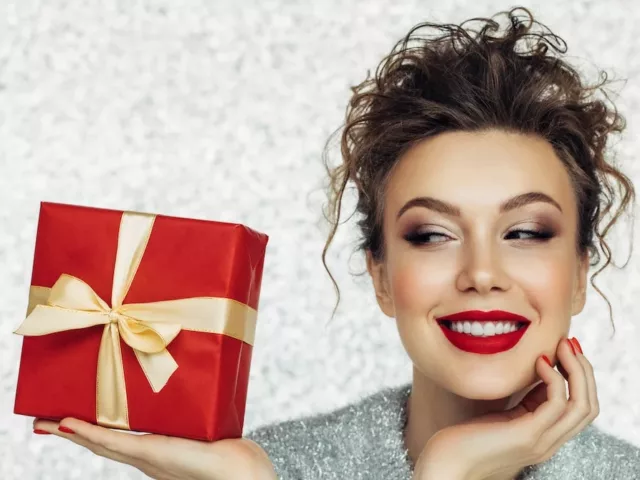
479,169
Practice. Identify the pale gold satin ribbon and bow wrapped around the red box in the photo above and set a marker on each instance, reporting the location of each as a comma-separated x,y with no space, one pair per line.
146,327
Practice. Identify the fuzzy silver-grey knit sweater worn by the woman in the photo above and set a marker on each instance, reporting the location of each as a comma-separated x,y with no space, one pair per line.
365,441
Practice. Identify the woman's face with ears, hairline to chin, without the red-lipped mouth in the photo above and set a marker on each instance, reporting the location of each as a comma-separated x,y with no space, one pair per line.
456,250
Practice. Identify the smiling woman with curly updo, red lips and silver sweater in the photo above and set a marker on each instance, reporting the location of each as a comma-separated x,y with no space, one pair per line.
482,186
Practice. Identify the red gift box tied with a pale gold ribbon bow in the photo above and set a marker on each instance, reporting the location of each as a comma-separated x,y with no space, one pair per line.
140,322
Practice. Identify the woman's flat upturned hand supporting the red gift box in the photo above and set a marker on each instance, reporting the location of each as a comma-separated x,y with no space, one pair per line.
168,458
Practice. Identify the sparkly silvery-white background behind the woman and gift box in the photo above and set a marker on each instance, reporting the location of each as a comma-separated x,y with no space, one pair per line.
219,110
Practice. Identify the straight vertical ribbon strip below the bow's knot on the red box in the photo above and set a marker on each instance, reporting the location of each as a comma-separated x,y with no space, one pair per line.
111,408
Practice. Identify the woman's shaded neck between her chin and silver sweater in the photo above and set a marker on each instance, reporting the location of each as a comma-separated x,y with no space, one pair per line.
431,408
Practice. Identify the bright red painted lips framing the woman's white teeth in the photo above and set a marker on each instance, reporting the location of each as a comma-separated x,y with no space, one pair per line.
483,345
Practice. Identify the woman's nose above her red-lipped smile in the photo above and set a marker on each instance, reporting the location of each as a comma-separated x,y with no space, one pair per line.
482,270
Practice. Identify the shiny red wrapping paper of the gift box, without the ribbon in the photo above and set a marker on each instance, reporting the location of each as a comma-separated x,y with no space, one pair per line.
206,396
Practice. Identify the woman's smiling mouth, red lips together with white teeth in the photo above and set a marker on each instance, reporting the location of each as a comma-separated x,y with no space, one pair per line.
484,332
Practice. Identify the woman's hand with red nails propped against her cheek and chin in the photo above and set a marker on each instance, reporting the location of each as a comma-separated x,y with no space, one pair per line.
499,445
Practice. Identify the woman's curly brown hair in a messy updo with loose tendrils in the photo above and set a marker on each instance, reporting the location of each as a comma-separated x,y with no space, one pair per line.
470,80
